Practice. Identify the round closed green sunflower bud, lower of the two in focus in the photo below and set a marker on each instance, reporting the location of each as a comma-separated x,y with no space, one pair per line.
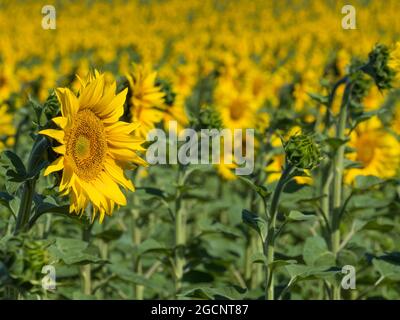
302,151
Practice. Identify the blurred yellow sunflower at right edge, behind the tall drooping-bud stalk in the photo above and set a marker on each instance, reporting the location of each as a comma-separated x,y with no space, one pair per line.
375,149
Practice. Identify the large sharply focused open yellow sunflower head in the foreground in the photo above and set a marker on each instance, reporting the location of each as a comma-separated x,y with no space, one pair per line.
95,147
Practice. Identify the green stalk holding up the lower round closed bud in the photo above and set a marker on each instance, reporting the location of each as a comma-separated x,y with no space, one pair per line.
269,244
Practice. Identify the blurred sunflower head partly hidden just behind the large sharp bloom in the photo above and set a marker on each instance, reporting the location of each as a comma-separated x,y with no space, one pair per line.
147,99
